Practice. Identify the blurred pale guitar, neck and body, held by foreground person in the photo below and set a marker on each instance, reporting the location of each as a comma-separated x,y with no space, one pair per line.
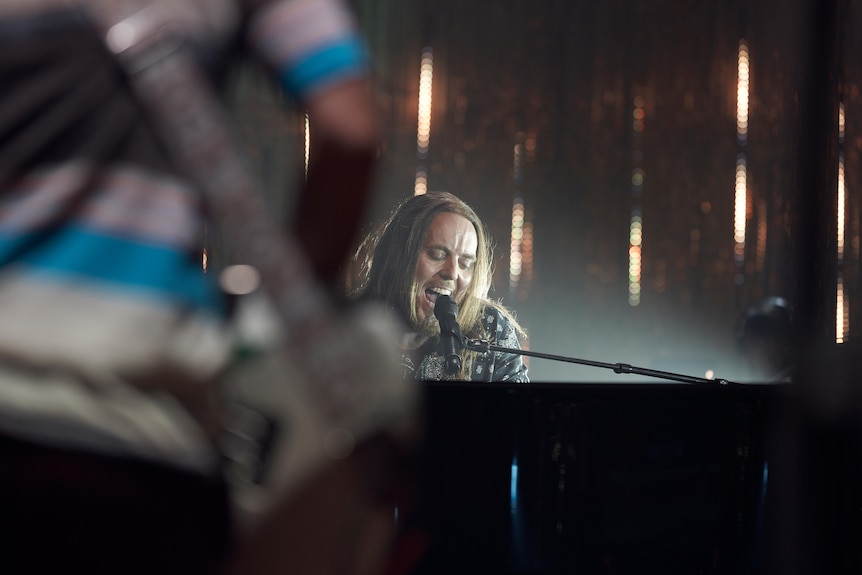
324,381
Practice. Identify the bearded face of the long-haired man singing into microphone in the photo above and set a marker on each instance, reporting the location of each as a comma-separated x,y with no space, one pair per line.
446,262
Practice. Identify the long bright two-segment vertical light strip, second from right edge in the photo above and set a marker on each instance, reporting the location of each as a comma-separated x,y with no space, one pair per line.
741,179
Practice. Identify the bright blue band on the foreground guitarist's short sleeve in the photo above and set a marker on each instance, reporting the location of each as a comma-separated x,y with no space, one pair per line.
346,59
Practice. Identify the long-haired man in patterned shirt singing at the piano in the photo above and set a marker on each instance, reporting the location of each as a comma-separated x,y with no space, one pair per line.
435,245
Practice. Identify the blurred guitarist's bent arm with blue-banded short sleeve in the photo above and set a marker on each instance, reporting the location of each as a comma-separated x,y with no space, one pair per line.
314,48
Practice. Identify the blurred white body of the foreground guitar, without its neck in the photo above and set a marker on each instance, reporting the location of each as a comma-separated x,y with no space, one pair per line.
280,428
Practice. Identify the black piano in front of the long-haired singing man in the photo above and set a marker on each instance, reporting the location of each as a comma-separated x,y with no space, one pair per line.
598,478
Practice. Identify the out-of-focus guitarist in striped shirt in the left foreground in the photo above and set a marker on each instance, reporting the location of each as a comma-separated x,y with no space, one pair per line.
113,342
